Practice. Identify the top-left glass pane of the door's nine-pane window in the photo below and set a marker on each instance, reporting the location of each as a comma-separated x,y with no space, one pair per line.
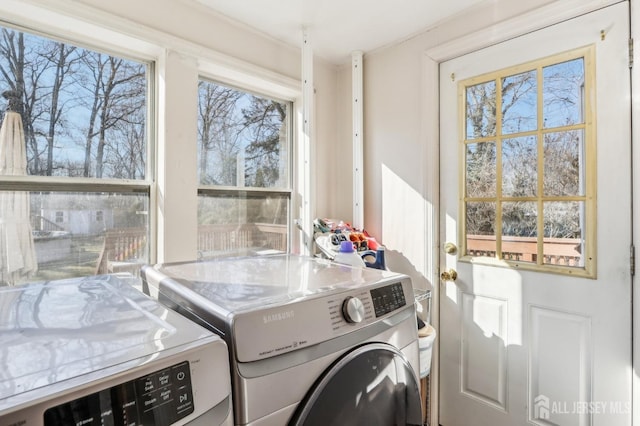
481,110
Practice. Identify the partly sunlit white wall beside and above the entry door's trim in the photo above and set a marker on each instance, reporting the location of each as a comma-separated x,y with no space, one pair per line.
399,150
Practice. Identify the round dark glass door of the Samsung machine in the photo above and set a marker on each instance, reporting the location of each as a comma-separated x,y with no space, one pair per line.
372,385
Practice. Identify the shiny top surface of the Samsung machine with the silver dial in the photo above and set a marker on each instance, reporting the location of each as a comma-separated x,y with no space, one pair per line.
252,283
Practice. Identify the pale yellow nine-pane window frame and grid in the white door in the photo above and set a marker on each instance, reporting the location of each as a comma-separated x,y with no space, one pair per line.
588,270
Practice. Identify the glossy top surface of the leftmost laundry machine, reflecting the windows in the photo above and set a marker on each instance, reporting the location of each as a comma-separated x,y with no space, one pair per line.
58,330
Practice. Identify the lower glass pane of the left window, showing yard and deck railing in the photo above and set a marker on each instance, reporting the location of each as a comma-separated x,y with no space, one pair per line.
68,240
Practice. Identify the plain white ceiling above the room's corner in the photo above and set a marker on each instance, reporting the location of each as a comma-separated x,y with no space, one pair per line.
338,27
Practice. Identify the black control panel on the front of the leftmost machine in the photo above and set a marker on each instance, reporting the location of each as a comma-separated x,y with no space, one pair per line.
160,399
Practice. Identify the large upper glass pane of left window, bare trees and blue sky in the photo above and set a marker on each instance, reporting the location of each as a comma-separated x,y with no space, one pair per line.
83,112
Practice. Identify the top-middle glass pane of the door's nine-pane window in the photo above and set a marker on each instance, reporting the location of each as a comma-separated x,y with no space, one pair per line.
520,103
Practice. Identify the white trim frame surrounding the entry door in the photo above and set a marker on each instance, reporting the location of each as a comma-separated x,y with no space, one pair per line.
534,20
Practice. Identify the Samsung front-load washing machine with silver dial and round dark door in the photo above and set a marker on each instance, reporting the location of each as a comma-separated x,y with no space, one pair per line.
311,342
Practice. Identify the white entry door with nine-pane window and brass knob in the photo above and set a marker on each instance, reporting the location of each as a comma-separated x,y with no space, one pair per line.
536,222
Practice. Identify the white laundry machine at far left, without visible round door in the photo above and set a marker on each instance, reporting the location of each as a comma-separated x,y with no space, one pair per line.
98,351
